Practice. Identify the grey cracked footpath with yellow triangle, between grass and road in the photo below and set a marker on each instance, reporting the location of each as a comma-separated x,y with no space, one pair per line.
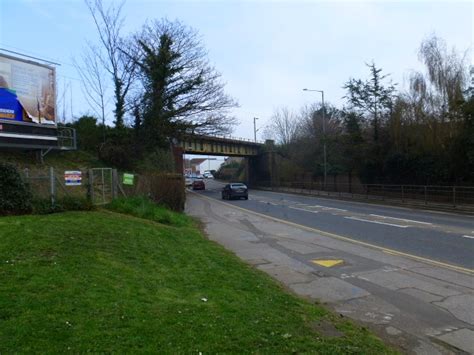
419,307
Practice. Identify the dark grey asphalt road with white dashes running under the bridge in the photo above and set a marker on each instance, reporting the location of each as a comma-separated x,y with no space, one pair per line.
438,236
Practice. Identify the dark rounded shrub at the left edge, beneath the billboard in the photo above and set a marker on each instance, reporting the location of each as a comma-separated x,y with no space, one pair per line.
15,194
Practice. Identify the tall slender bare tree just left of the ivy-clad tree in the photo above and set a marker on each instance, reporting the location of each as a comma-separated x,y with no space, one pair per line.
121,67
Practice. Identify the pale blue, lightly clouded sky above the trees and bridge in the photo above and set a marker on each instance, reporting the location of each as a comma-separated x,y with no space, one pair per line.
266,51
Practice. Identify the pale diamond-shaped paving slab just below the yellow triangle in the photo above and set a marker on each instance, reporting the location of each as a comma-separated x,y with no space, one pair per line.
329,290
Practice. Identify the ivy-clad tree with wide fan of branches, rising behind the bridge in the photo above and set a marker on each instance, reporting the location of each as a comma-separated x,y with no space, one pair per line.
181,92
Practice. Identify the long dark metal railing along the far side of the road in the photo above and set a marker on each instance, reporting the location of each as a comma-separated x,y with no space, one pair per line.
460,197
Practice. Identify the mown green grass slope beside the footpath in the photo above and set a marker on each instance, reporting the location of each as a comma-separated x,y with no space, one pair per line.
107,282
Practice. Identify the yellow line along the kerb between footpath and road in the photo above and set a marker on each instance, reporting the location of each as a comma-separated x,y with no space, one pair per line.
340,237
